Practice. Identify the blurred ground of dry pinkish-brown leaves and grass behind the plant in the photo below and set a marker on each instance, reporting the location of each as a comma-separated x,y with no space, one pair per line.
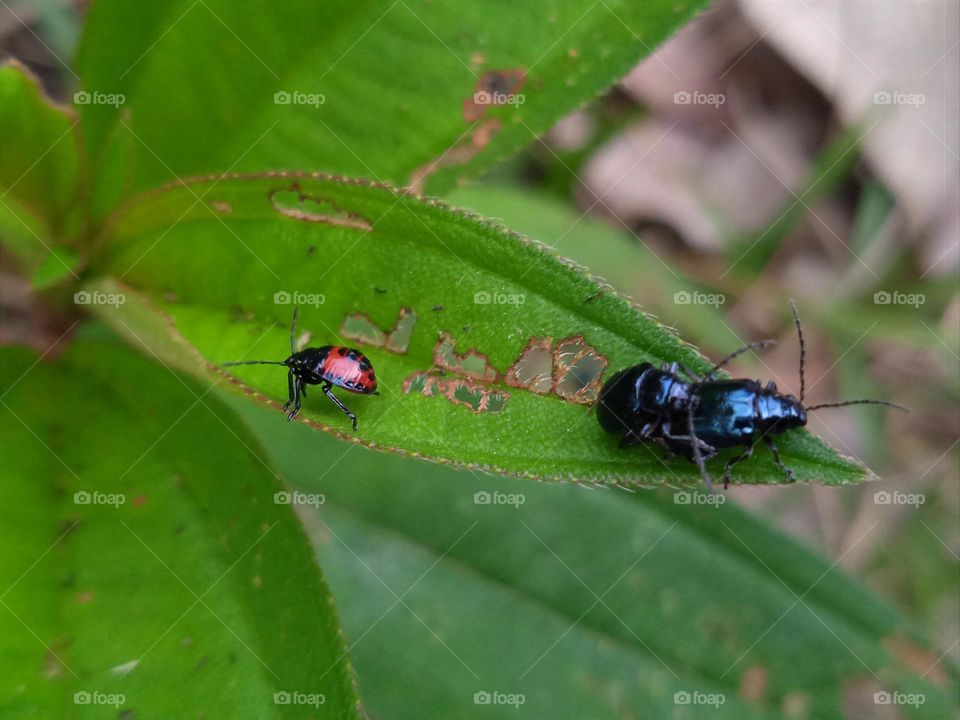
770,150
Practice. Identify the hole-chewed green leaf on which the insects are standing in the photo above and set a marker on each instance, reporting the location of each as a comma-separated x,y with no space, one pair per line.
205,273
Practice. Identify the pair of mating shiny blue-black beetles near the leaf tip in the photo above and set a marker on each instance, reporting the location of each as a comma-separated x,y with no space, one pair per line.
696,418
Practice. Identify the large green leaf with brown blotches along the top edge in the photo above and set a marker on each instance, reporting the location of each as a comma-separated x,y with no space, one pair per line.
396,81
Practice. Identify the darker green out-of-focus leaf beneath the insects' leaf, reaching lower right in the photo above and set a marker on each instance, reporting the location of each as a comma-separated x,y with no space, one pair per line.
503,597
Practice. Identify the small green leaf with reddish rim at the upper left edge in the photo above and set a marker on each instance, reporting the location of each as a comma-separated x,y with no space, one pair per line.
39,167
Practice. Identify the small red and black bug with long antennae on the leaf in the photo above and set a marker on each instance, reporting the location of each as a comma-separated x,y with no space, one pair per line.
324,366
